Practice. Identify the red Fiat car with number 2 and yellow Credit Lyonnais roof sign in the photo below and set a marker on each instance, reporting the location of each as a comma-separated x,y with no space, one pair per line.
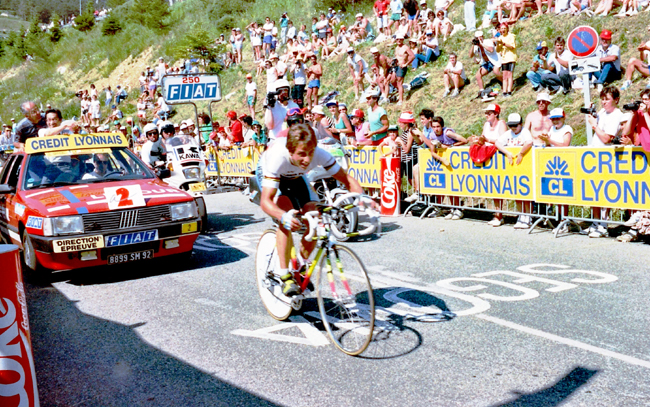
76,201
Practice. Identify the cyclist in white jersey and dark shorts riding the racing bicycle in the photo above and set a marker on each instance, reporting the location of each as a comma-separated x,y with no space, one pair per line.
286,163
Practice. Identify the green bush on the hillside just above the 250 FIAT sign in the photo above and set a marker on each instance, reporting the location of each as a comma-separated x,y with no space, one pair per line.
198,44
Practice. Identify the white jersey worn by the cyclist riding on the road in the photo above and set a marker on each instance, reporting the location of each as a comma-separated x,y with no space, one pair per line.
277,164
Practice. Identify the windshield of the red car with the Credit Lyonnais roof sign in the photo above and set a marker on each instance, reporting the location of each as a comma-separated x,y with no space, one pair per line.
83,167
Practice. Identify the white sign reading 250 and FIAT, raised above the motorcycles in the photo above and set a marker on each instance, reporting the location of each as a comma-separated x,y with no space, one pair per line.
191,88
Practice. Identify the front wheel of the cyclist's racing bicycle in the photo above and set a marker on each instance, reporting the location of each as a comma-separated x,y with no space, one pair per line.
345,300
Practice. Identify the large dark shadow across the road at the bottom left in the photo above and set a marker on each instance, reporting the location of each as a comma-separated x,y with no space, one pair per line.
87,361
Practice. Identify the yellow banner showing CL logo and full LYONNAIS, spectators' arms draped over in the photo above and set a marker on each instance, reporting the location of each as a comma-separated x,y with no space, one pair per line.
495,178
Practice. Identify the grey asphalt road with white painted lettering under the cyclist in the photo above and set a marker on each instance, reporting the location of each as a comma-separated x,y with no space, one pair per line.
538,321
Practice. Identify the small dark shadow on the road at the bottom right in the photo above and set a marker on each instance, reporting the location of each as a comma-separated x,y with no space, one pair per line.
553,395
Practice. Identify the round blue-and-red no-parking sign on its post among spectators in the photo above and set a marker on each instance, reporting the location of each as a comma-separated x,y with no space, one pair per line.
582,43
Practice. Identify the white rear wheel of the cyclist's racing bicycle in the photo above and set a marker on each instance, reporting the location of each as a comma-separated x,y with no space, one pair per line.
268,284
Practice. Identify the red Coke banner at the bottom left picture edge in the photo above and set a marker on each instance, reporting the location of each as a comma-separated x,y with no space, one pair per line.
17,374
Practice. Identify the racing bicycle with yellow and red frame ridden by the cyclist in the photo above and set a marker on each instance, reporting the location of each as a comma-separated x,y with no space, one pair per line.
341,284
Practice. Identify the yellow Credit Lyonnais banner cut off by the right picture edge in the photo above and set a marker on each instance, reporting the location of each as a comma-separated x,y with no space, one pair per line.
613,177
